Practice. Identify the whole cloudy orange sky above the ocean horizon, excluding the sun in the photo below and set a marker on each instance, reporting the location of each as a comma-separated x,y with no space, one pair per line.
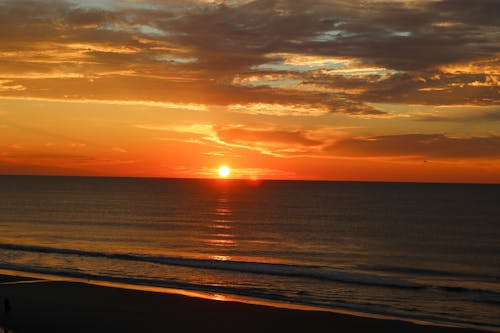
336,90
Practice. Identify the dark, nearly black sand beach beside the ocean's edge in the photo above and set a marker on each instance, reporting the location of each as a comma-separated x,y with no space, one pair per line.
58,306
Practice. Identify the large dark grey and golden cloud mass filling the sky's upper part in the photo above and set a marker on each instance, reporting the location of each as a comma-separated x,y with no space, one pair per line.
339,55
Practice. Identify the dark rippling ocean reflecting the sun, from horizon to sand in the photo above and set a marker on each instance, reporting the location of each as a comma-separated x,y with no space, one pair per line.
427,252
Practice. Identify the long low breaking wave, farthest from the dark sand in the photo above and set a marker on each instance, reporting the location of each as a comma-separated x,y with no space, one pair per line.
304,271
